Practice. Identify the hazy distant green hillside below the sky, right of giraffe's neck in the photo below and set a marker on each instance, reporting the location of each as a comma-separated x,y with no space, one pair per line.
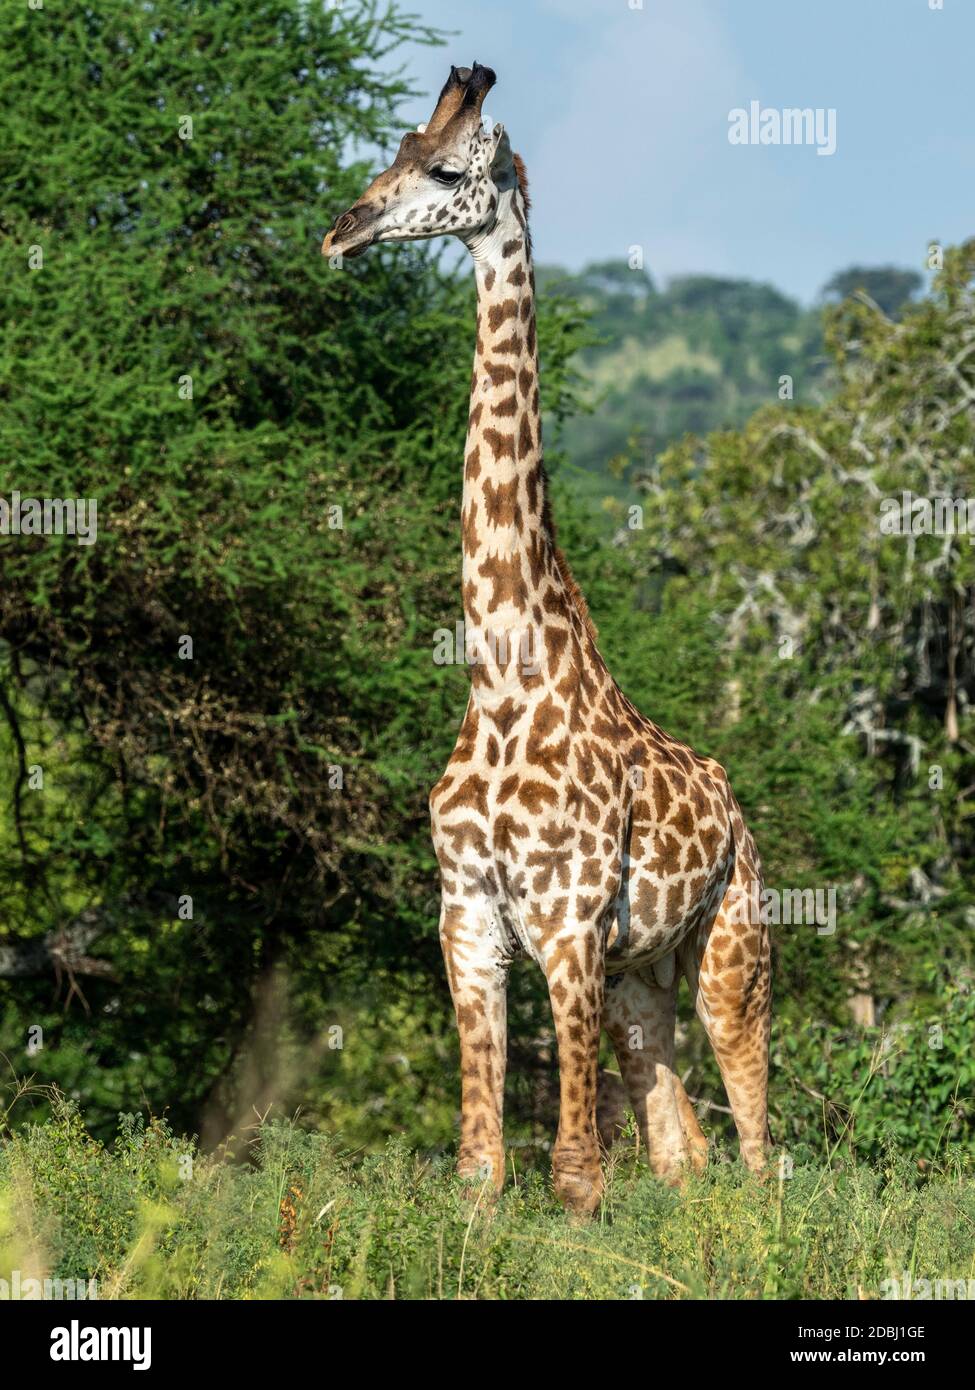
700,355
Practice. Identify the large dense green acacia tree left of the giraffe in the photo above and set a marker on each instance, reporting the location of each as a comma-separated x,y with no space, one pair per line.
227,705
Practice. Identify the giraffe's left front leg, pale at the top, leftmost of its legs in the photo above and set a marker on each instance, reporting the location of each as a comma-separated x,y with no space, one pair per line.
478,975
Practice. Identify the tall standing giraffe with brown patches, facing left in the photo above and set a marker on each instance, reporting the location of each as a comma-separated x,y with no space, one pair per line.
568,828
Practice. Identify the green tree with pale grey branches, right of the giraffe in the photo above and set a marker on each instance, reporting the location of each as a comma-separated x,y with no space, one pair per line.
842,655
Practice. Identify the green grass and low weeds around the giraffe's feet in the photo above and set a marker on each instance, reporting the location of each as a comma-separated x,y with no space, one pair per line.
291,1216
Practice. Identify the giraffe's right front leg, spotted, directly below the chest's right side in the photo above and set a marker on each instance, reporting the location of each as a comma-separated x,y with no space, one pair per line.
572,961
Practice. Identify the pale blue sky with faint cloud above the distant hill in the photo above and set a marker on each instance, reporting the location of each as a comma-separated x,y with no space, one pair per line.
622,117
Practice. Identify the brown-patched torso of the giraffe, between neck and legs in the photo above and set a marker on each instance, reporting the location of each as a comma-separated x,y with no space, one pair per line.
535,829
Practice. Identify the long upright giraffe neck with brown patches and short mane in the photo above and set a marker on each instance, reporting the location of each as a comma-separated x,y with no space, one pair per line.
514,575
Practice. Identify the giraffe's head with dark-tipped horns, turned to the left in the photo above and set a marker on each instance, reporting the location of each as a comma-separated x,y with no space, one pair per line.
447,177
